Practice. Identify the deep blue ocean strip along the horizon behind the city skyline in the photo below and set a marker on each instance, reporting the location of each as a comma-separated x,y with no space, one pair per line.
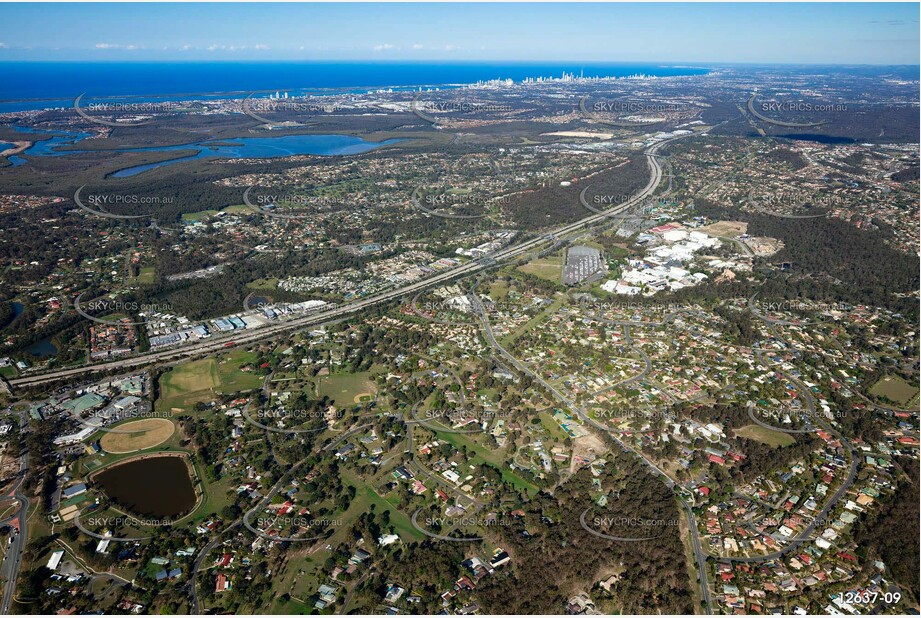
37,85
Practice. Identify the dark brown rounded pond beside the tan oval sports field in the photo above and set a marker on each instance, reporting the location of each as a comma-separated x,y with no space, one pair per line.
153,486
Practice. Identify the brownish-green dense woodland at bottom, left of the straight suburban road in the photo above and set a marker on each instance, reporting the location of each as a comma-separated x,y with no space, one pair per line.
652,576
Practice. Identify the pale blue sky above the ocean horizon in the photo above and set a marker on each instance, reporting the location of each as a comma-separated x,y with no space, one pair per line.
839,33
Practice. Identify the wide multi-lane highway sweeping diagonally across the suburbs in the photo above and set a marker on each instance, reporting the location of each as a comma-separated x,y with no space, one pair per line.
236,339
